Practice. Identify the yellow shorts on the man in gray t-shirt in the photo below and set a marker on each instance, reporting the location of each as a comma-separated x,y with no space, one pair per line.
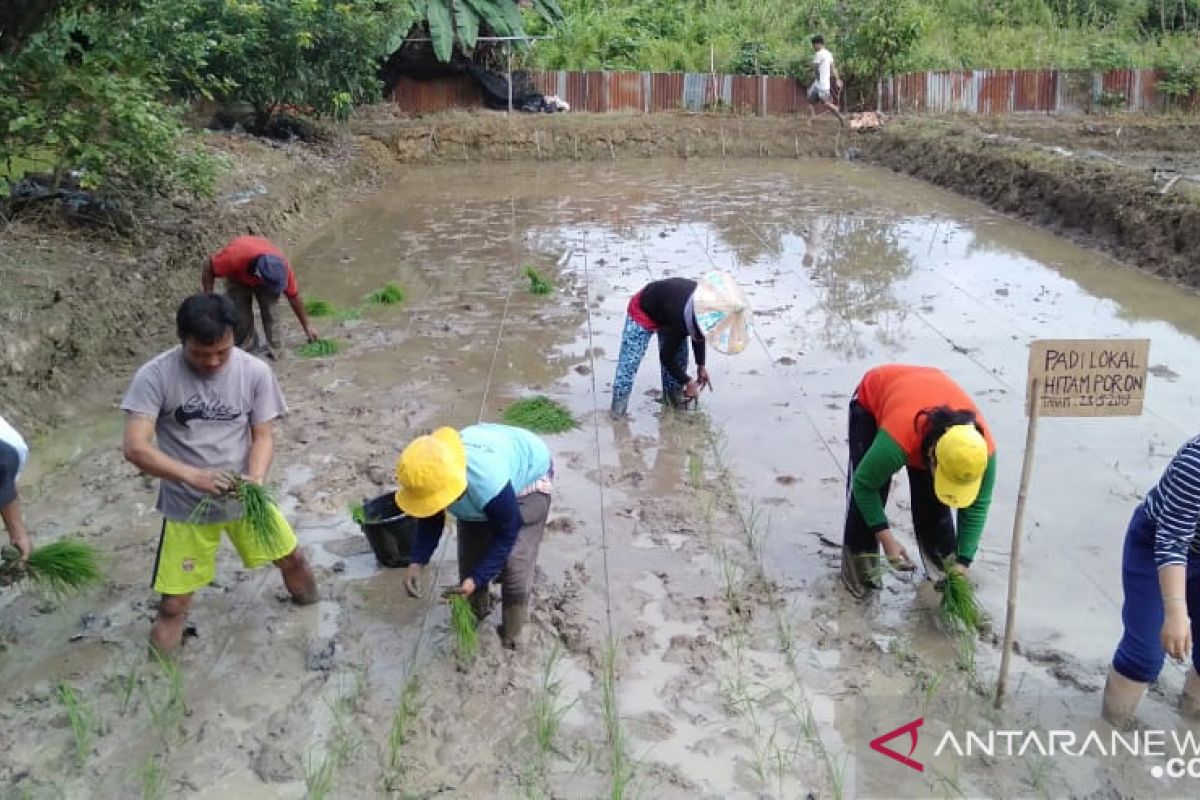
188,554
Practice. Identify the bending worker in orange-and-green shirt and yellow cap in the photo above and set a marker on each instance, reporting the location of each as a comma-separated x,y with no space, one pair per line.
915,418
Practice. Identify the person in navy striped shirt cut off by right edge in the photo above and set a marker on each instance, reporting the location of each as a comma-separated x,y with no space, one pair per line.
1161,579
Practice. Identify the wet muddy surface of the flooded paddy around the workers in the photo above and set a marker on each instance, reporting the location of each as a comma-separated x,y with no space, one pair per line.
703,646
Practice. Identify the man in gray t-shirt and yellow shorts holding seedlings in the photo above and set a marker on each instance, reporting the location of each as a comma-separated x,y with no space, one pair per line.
196,417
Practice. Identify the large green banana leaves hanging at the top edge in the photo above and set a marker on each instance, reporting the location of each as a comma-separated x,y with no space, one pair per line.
463,22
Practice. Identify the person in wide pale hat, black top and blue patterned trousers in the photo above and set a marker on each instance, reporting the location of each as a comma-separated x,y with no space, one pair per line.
711,311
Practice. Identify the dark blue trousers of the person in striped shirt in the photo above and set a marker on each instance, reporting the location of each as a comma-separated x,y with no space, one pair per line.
1141,653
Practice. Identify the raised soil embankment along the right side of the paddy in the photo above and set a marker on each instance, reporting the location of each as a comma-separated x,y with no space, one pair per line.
1129,189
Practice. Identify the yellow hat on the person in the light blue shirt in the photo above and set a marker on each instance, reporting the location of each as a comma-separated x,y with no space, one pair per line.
433,473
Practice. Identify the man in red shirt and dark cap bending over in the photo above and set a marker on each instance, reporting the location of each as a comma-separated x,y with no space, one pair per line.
253,269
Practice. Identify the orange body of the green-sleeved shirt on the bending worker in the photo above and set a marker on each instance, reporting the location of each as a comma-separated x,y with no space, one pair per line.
896,394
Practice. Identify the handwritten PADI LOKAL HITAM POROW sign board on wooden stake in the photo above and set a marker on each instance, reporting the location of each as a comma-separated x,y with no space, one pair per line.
1089,377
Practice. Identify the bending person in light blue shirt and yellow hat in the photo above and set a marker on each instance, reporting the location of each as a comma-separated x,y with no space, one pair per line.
496,482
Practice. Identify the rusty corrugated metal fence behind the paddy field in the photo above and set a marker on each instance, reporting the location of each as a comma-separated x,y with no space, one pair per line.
969,92
